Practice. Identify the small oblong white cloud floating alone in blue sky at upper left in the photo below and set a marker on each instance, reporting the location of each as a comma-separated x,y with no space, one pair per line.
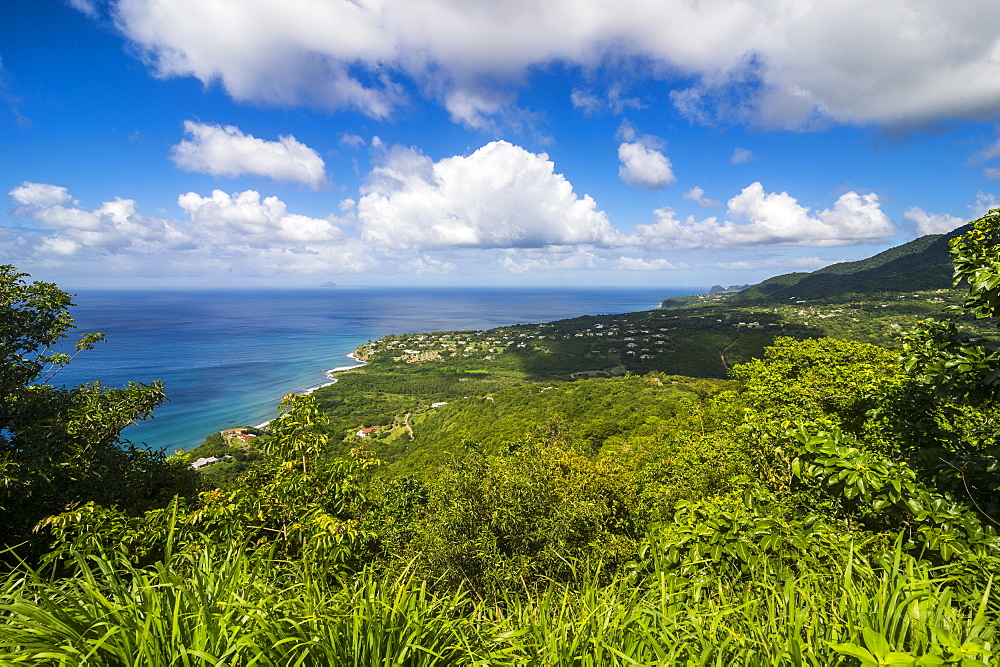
226,151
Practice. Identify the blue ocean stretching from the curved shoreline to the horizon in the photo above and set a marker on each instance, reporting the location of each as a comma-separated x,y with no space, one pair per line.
228,356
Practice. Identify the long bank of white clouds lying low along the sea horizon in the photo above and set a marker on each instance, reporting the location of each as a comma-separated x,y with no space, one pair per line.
501,206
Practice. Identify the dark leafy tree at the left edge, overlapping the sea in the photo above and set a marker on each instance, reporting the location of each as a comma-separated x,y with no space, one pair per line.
61,446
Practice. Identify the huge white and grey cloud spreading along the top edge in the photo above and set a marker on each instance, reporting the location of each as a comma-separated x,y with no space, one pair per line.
836,60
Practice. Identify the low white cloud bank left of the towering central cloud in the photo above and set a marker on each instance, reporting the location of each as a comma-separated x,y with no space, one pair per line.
239,234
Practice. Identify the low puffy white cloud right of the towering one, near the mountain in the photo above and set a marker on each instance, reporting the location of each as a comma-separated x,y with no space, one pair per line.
759,218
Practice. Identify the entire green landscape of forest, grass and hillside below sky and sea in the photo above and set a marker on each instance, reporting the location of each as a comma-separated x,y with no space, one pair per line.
727,481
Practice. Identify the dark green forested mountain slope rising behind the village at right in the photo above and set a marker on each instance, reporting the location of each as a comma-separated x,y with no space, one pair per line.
921,264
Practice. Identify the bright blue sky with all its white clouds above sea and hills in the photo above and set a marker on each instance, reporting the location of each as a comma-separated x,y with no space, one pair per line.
571,142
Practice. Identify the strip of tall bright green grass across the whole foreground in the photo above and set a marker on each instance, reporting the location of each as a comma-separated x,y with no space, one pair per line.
224,606
